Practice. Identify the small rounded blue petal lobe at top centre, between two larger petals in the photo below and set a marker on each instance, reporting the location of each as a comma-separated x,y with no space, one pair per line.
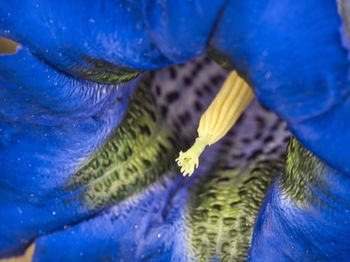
181,29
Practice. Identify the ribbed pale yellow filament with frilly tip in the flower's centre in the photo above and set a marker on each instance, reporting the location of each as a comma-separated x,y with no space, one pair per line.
232,99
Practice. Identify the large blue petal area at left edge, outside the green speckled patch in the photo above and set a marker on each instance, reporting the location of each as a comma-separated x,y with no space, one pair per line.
49,124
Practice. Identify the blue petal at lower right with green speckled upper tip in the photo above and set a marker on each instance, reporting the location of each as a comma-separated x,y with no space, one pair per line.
306,215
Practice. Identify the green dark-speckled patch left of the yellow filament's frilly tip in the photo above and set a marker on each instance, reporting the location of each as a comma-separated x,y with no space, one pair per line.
138,152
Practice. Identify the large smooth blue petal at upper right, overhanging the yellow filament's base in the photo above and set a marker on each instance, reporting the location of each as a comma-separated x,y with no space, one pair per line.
293,55
